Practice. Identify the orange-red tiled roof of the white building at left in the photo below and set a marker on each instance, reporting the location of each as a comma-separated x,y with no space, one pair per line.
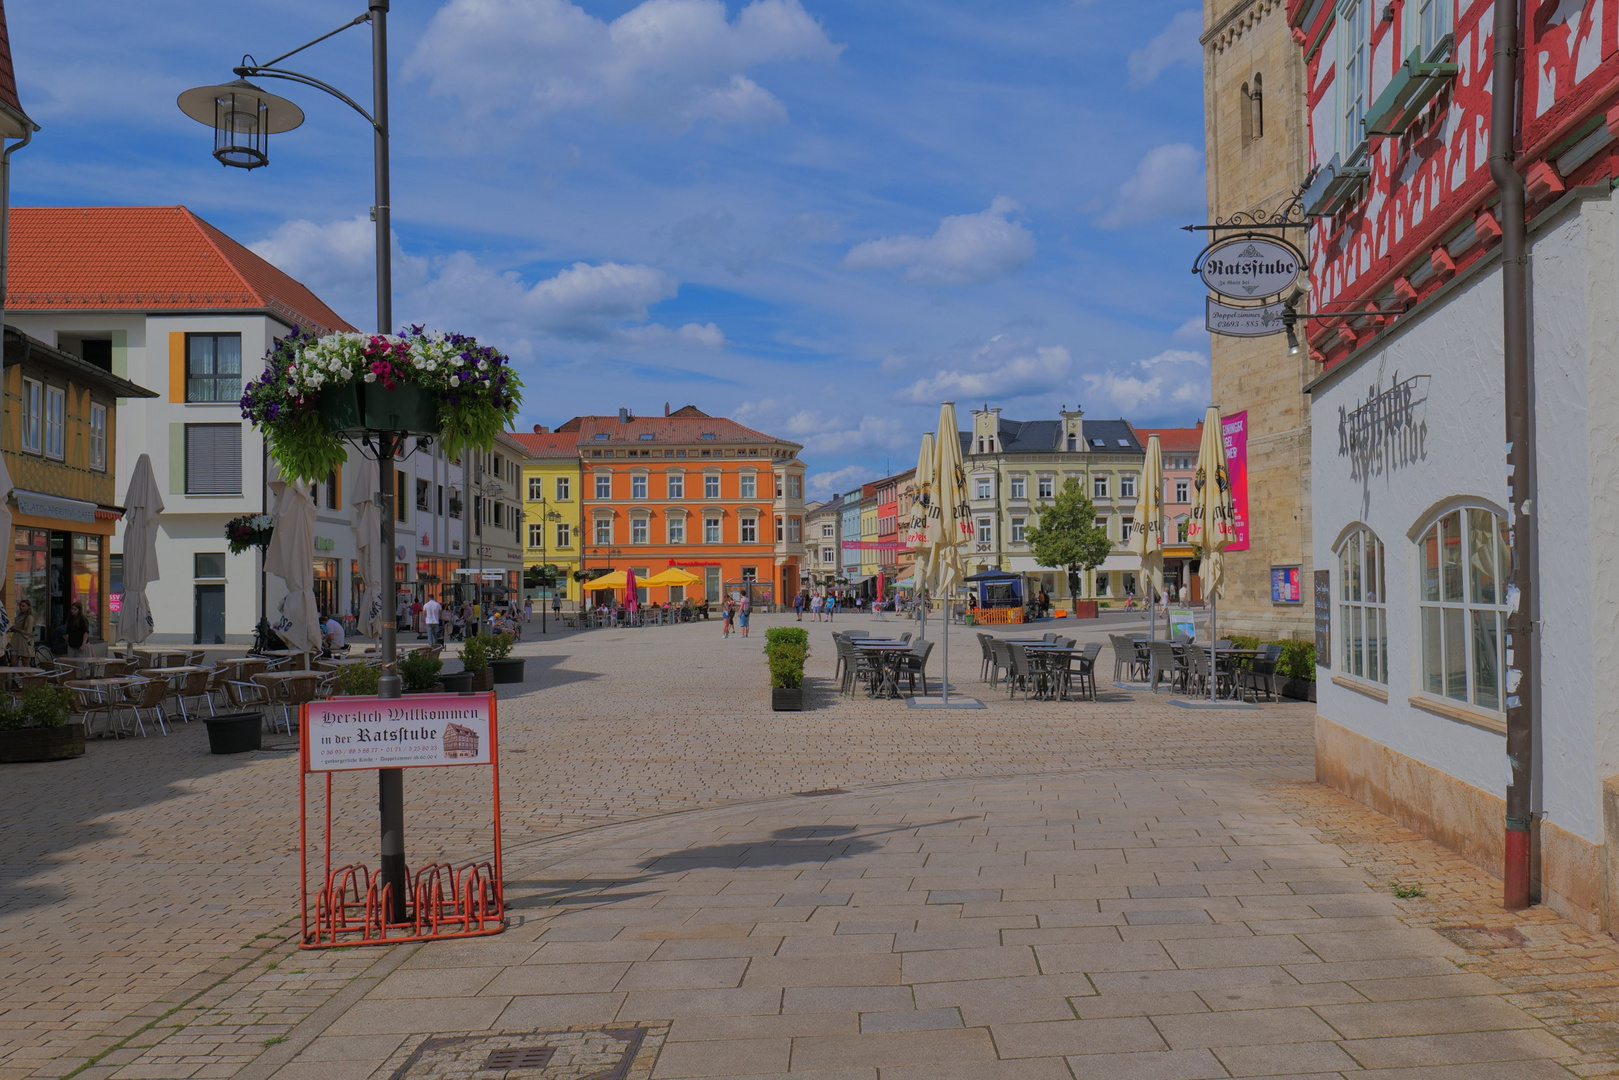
147,258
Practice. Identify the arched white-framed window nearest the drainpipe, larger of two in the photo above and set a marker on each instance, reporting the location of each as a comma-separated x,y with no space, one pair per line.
1463,602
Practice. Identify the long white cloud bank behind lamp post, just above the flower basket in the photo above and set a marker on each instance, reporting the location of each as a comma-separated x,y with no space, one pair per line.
585,302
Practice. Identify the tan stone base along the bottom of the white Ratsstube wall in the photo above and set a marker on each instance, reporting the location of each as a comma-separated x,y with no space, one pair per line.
1571,874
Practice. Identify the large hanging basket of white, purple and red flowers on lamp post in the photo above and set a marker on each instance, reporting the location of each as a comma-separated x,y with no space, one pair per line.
320,393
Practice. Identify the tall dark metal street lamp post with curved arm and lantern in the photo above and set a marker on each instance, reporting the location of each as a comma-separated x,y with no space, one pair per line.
244,117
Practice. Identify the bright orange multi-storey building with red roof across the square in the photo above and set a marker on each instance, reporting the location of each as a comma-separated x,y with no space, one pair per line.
692,491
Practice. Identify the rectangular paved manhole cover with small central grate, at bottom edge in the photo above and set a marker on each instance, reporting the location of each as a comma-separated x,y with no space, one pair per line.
598,1053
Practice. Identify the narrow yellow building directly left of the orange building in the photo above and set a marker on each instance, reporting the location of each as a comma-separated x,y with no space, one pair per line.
551,511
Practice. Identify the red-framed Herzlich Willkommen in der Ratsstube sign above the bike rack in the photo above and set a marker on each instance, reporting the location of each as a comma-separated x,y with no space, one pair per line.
399,733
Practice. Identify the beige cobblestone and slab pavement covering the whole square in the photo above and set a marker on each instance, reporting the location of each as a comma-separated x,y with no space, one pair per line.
1034,890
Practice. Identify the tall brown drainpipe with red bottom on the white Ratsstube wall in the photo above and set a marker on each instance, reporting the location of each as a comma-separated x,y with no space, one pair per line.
1523,676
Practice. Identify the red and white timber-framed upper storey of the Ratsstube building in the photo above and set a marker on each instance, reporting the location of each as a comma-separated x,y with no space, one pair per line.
1426,211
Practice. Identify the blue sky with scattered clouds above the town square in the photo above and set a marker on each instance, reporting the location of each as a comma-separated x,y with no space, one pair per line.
822,218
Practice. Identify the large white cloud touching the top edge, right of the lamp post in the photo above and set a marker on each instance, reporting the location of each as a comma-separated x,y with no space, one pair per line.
668,62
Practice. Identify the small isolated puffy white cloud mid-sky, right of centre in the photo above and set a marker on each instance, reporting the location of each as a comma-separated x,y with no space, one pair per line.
964,250
